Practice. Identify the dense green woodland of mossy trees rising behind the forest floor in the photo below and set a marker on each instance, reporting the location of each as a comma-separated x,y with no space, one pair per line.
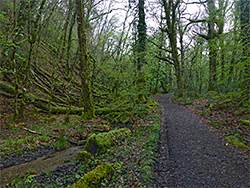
85,54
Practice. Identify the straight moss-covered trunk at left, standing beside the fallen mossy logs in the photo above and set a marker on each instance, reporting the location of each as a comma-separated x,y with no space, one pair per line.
86,92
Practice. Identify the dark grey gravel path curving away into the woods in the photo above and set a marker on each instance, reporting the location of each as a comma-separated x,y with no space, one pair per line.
192,156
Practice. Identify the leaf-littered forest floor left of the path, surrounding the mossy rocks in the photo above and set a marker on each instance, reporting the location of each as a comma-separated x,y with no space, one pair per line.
46,137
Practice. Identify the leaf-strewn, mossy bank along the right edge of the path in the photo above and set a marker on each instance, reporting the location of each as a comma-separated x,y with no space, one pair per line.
224,112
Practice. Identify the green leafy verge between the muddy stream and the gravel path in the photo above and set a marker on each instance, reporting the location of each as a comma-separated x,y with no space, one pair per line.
132,159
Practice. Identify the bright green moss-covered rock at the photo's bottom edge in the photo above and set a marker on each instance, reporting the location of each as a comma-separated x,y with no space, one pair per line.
94,178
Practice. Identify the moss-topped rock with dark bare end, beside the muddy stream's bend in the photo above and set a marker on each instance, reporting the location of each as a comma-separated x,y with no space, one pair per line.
99,143
